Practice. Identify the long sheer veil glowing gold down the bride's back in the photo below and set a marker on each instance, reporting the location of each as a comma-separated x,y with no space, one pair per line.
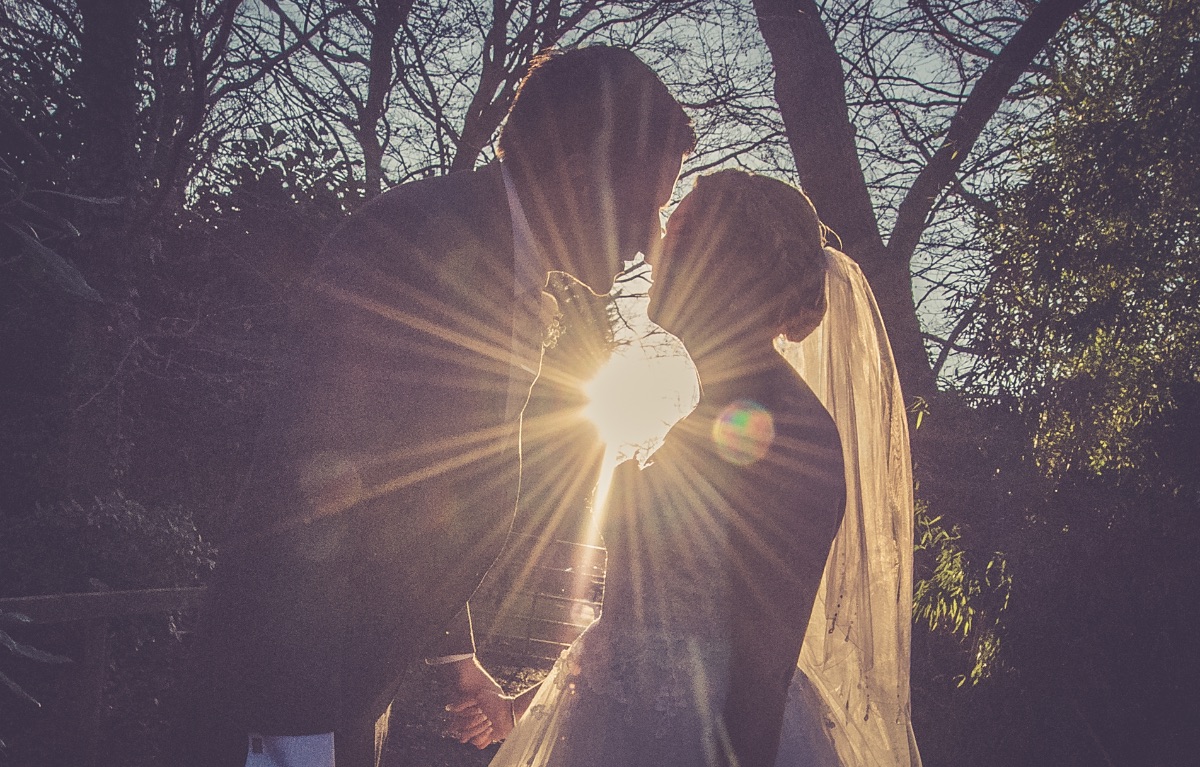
855,661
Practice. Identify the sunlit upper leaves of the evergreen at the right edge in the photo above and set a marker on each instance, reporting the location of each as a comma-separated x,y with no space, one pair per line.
1091,323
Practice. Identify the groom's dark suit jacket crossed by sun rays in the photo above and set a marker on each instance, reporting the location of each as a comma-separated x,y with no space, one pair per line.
388,472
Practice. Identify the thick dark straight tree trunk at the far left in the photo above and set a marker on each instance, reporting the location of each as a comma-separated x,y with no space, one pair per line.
107,253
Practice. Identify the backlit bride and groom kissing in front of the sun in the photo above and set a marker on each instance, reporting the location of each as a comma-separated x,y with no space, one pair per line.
389,468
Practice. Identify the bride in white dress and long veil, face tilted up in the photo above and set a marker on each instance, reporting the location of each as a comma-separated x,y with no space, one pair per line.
763,524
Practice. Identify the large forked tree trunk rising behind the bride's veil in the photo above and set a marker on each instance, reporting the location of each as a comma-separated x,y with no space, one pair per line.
811,93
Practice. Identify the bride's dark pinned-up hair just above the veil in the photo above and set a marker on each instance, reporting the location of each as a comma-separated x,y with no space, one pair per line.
773,229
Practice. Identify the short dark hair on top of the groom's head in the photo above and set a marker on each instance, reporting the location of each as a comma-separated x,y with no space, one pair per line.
569,99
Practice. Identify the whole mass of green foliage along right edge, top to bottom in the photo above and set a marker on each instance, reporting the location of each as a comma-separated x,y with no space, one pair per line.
1090,337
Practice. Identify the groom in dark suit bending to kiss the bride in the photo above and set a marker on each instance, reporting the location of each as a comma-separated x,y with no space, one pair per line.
388,472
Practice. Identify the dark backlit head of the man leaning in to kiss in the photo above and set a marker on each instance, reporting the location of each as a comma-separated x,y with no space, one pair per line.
595,141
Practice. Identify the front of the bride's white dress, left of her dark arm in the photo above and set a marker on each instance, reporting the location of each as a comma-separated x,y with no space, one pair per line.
645,685
